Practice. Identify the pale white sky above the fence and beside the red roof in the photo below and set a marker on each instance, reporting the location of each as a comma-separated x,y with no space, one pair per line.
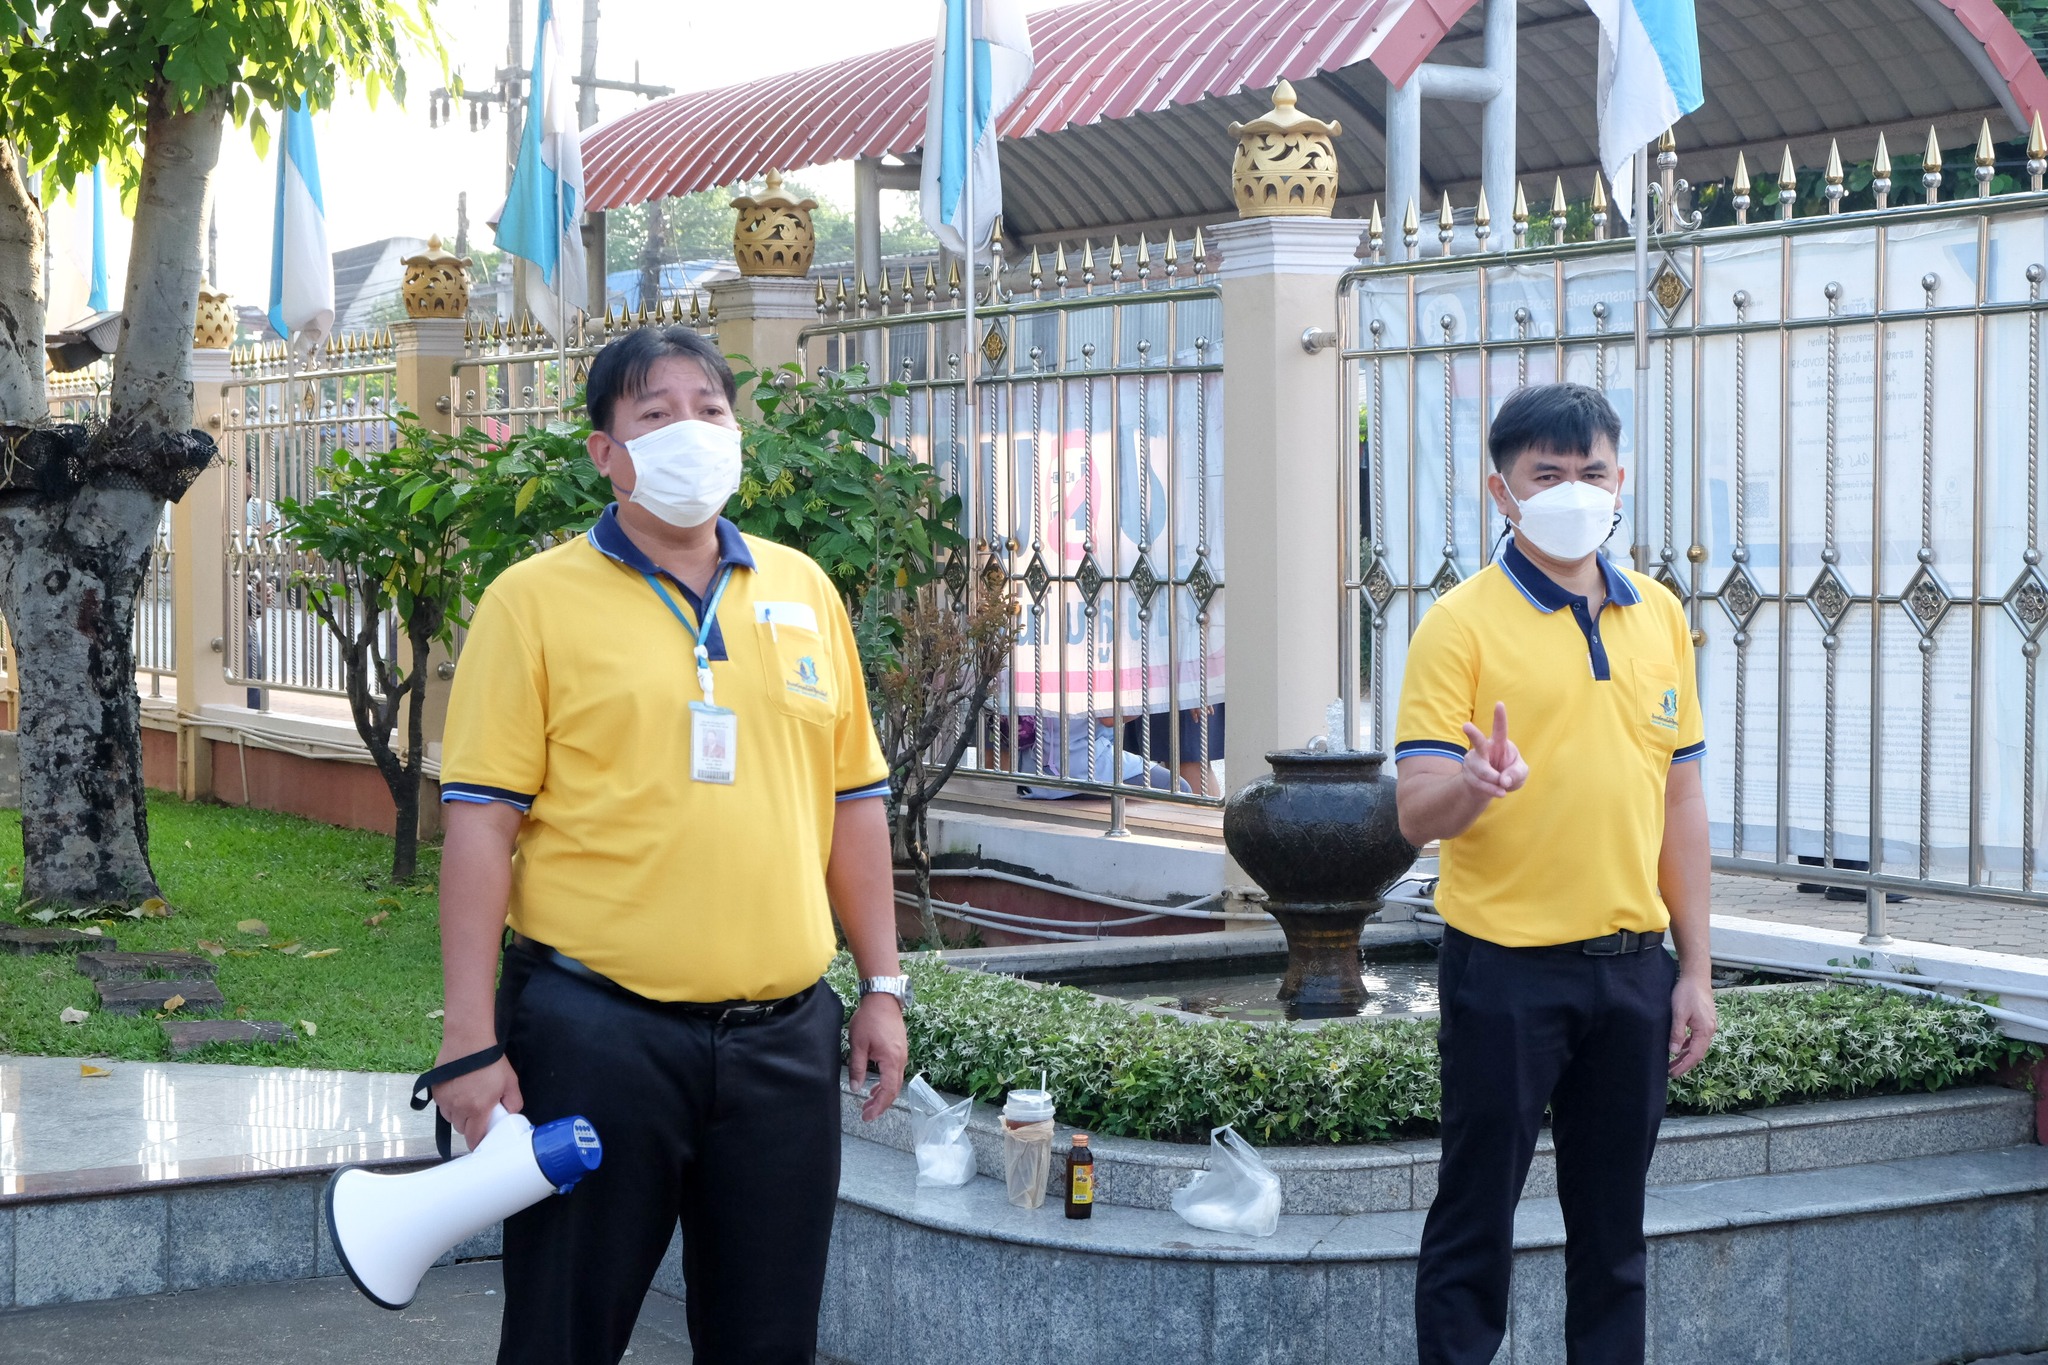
386,173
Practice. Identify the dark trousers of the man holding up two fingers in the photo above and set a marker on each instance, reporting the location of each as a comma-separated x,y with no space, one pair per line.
1525,1028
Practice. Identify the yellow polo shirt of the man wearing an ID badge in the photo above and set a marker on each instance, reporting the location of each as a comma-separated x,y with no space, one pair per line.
572,703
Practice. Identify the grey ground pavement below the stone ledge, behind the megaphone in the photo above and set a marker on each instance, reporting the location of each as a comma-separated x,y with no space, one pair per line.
306,1323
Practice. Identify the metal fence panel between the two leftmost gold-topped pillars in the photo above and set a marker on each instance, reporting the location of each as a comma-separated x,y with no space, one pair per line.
284,425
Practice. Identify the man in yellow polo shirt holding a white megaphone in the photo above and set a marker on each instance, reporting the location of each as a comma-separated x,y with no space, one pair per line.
660,768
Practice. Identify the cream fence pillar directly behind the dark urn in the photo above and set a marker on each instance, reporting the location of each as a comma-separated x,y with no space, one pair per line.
1281,478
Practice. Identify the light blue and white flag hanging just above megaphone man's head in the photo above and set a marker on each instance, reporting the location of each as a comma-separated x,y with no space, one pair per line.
542,218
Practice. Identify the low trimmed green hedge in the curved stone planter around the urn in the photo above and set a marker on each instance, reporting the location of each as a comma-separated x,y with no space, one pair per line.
1138,1075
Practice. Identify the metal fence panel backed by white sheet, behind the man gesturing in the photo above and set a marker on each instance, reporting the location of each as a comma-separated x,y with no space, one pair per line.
1840,480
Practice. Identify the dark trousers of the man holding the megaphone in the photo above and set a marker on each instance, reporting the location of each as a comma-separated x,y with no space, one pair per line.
728,1129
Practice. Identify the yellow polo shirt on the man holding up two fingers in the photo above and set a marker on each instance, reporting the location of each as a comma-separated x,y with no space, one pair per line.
1601,709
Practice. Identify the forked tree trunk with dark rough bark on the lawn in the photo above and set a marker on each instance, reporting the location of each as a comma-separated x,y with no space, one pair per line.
79,545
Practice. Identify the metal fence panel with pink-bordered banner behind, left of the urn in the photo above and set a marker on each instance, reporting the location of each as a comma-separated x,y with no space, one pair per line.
1091,474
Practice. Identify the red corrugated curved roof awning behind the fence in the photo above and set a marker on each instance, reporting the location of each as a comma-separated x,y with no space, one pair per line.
1125,124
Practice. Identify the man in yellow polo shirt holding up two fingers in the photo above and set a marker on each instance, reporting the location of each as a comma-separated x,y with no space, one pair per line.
1570,844
